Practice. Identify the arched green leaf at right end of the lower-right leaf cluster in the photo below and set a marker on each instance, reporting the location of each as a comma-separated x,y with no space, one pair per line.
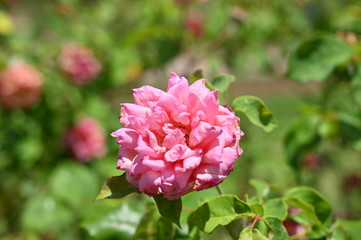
310,196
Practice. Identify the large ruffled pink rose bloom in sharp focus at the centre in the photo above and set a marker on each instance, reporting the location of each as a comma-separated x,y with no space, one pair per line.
177,141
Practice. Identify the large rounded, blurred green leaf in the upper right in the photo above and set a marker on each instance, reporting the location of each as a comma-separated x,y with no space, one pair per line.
317,58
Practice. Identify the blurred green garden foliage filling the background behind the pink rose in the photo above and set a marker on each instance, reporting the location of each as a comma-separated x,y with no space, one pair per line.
46,193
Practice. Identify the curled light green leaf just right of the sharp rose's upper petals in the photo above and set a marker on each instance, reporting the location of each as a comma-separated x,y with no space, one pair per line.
256,111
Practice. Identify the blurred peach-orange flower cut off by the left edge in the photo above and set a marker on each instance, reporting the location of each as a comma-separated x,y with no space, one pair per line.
20,86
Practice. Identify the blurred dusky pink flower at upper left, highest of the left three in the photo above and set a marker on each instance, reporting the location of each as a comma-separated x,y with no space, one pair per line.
79,63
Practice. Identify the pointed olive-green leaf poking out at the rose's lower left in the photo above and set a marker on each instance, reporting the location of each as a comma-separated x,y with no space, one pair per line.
116,187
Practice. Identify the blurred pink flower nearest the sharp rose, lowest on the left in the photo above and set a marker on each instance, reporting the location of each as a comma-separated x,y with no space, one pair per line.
86,140
